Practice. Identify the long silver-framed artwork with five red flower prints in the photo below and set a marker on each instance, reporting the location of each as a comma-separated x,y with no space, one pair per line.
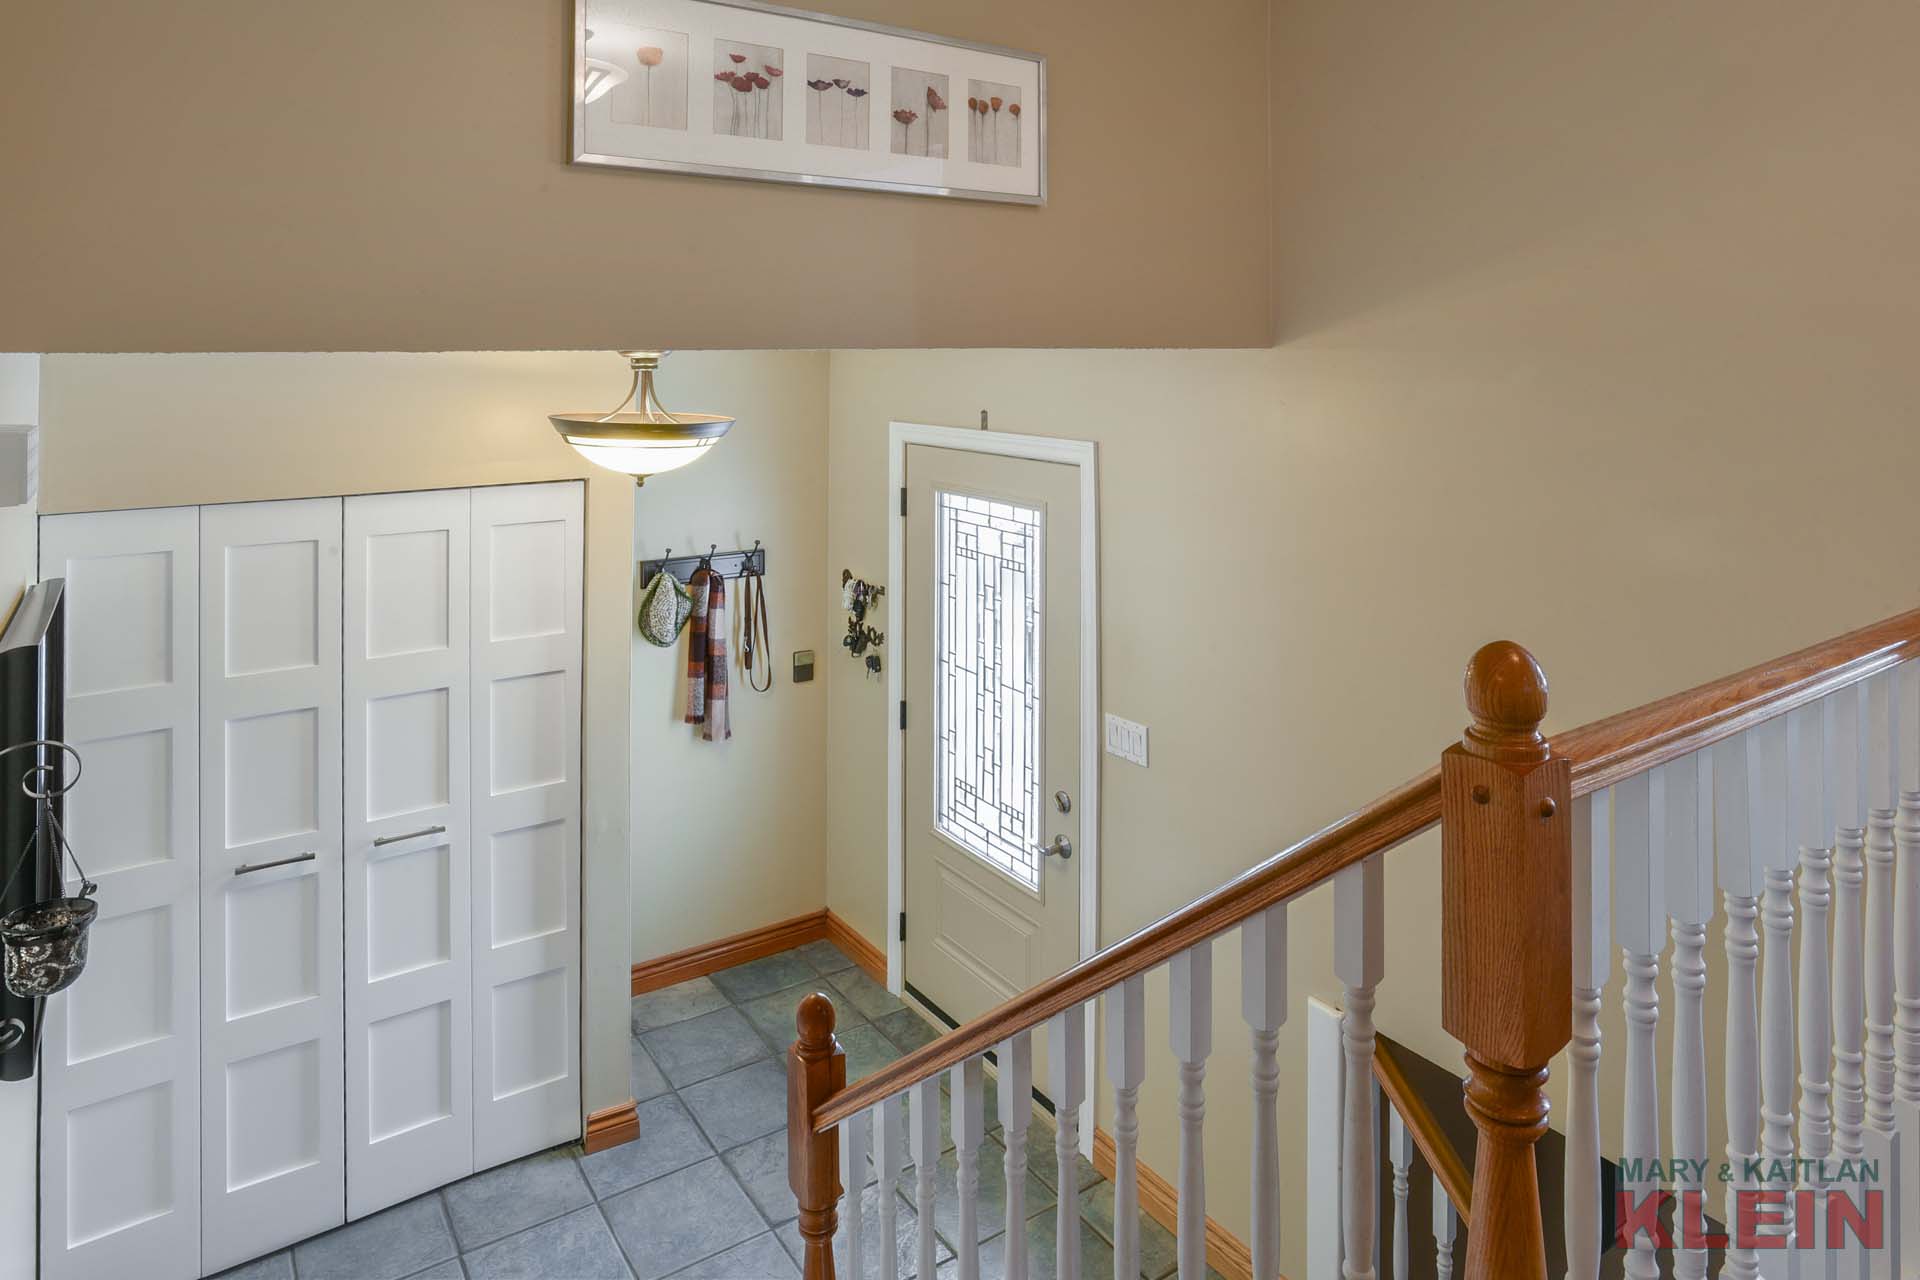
738,89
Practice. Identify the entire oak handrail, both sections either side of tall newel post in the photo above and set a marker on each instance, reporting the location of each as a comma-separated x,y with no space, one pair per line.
1602,753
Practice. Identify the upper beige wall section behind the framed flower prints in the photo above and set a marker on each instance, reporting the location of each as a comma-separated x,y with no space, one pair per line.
391,178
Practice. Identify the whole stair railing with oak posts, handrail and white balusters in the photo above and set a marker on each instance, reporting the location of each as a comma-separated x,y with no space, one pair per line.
1531,865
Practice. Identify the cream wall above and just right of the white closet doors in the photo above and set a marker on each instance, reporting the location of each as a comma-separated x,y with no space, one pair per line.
153,431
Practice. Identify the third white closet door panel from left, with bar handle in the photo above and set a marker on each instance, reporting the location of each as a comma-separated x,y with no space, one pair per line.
410,972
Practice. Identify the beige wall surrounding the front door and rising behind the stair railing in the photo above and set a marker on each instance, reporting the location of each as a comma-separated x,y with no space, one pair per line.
1596,335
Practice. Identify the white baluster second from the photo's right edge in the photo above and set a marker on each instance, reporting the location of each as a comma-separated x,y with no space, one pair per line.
1883,795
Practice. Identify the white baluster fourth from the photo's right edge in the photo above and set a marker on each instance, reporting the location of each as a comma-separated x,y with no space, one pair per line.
1812,824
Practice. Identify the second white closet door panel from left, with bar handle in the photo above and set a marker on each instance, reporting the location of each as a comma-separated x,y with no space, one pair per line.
274,1166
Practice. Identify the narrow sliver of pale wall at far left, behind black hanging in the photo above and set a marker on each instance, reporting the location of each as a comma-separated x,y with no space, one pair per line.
20,402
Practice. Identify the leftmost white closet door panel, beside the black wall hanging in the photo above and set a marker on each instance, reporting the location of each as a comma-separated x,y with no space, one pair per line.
120,1066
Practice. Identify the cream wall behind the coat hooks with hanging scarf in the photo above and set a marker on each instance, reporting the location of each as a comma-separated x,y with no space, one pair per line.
732,836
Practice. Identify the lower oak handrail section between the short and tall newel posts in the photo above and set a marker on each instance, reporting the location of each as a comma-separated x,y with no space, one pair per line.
1391,820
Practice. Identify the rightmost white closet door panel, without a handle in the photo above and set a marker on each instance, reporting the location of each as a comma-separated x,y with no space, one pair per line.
527,588
